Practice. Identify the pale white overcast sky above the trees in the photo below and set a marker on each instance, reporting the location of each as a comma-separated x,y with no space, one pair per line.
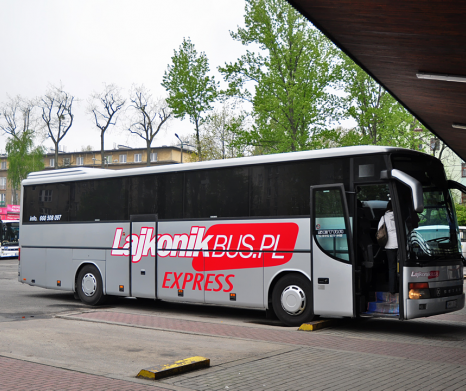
83,44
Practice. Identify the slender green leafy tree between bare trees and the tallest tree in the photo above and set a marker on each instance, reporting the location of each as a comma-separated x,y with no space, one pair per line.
191,90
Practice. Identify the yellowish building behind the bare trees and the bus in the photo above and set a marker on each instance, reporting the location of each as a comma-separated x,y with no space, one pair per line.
121,157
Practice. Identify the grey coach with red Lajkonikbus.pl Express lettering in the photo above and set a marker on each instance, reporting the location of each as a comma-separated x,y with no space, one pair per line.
290,233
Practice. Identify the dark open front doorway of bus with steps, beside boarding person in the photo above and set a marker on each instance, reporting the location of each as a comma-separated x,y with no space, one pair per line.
372,260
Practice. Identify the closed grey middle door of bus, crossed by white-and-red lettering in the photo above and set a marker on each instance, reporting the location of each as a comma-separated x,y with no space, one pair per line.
143,270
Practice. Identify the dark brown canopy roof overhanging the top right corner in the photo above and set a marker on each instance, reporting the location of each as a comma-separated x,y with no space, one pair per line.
393,40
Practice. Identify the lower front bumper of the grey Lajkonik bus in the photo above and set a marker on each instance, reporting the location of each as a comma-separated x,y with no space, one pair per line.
428,307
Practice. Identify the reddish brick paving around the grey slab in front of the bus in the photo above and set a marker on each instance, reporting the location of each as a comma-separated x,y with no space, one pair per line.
375,354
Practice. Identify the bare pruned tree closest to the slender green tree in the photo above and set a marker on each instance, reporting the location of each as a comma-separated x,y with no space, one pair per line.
148,116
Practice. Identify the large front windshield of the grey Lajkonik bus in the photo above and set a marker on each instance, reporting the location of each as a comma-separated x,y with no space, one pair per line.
432,234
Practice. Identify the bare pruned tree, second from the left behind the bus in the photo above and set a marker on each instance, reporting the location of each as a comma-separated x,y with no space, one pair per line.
57,115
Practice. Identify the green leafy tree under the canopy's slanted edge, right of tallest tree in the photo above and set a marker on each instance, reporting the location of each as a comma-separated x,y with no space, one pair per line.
380,119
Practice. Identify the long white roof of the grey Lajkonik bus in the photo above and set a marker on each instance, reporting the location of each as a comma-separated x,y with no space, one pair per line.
85,173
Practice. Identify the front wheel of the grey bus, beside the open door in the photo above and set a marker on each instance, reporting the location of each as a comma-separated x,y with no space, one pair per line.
291,299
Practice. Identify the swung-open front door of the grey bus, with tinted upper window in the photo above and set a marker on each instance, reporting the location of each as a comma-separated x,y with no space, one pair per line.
332,252
